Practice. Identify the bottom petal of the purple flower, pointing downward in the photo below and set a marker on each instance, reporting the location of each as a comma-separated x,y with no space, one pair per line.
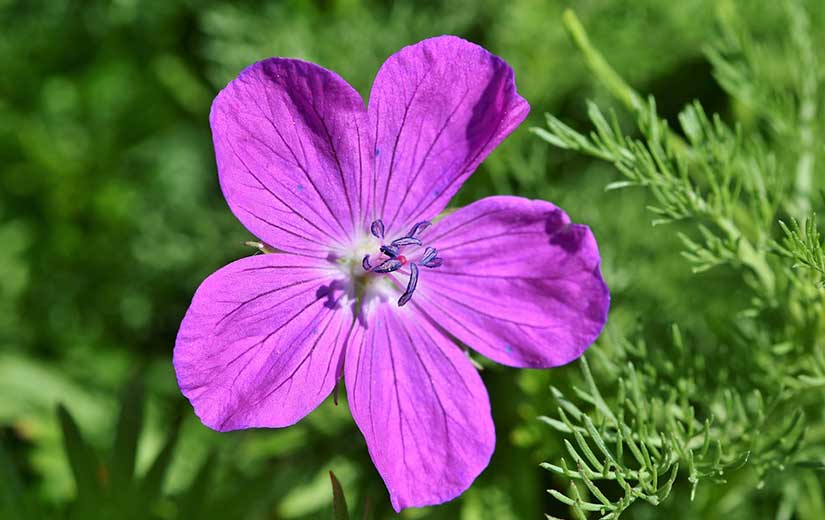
421,407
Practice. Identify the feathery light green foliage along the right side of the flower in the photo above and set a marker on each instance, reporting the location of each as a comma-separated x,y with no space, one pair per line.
695,412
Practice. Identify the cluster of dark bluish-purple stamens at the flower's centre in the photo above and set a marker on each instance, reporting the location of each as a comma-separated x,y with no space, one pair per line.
401,252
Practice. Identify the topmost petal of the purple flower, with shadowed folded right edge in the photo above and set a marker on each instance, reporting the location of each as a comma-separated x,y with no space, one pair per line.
436,109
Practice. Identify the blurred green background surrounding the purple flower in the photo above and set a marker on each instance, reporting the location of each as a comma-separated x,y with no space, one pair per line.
111,215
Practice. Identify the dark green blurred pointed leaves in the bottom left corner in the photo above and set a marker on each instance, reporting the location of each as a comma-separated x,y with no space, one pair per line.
115,490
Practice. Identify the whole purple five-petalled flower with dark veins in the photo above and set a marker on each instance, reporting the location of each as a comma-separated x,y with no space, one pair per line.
367,285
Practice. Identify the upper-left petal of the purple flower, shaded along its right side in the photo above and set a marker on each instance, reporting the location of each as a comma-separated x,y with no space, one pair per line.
289,137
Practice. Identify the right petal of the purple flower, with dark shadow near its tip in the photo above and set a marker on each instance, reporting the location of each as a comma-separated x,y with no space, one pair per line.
519,283
